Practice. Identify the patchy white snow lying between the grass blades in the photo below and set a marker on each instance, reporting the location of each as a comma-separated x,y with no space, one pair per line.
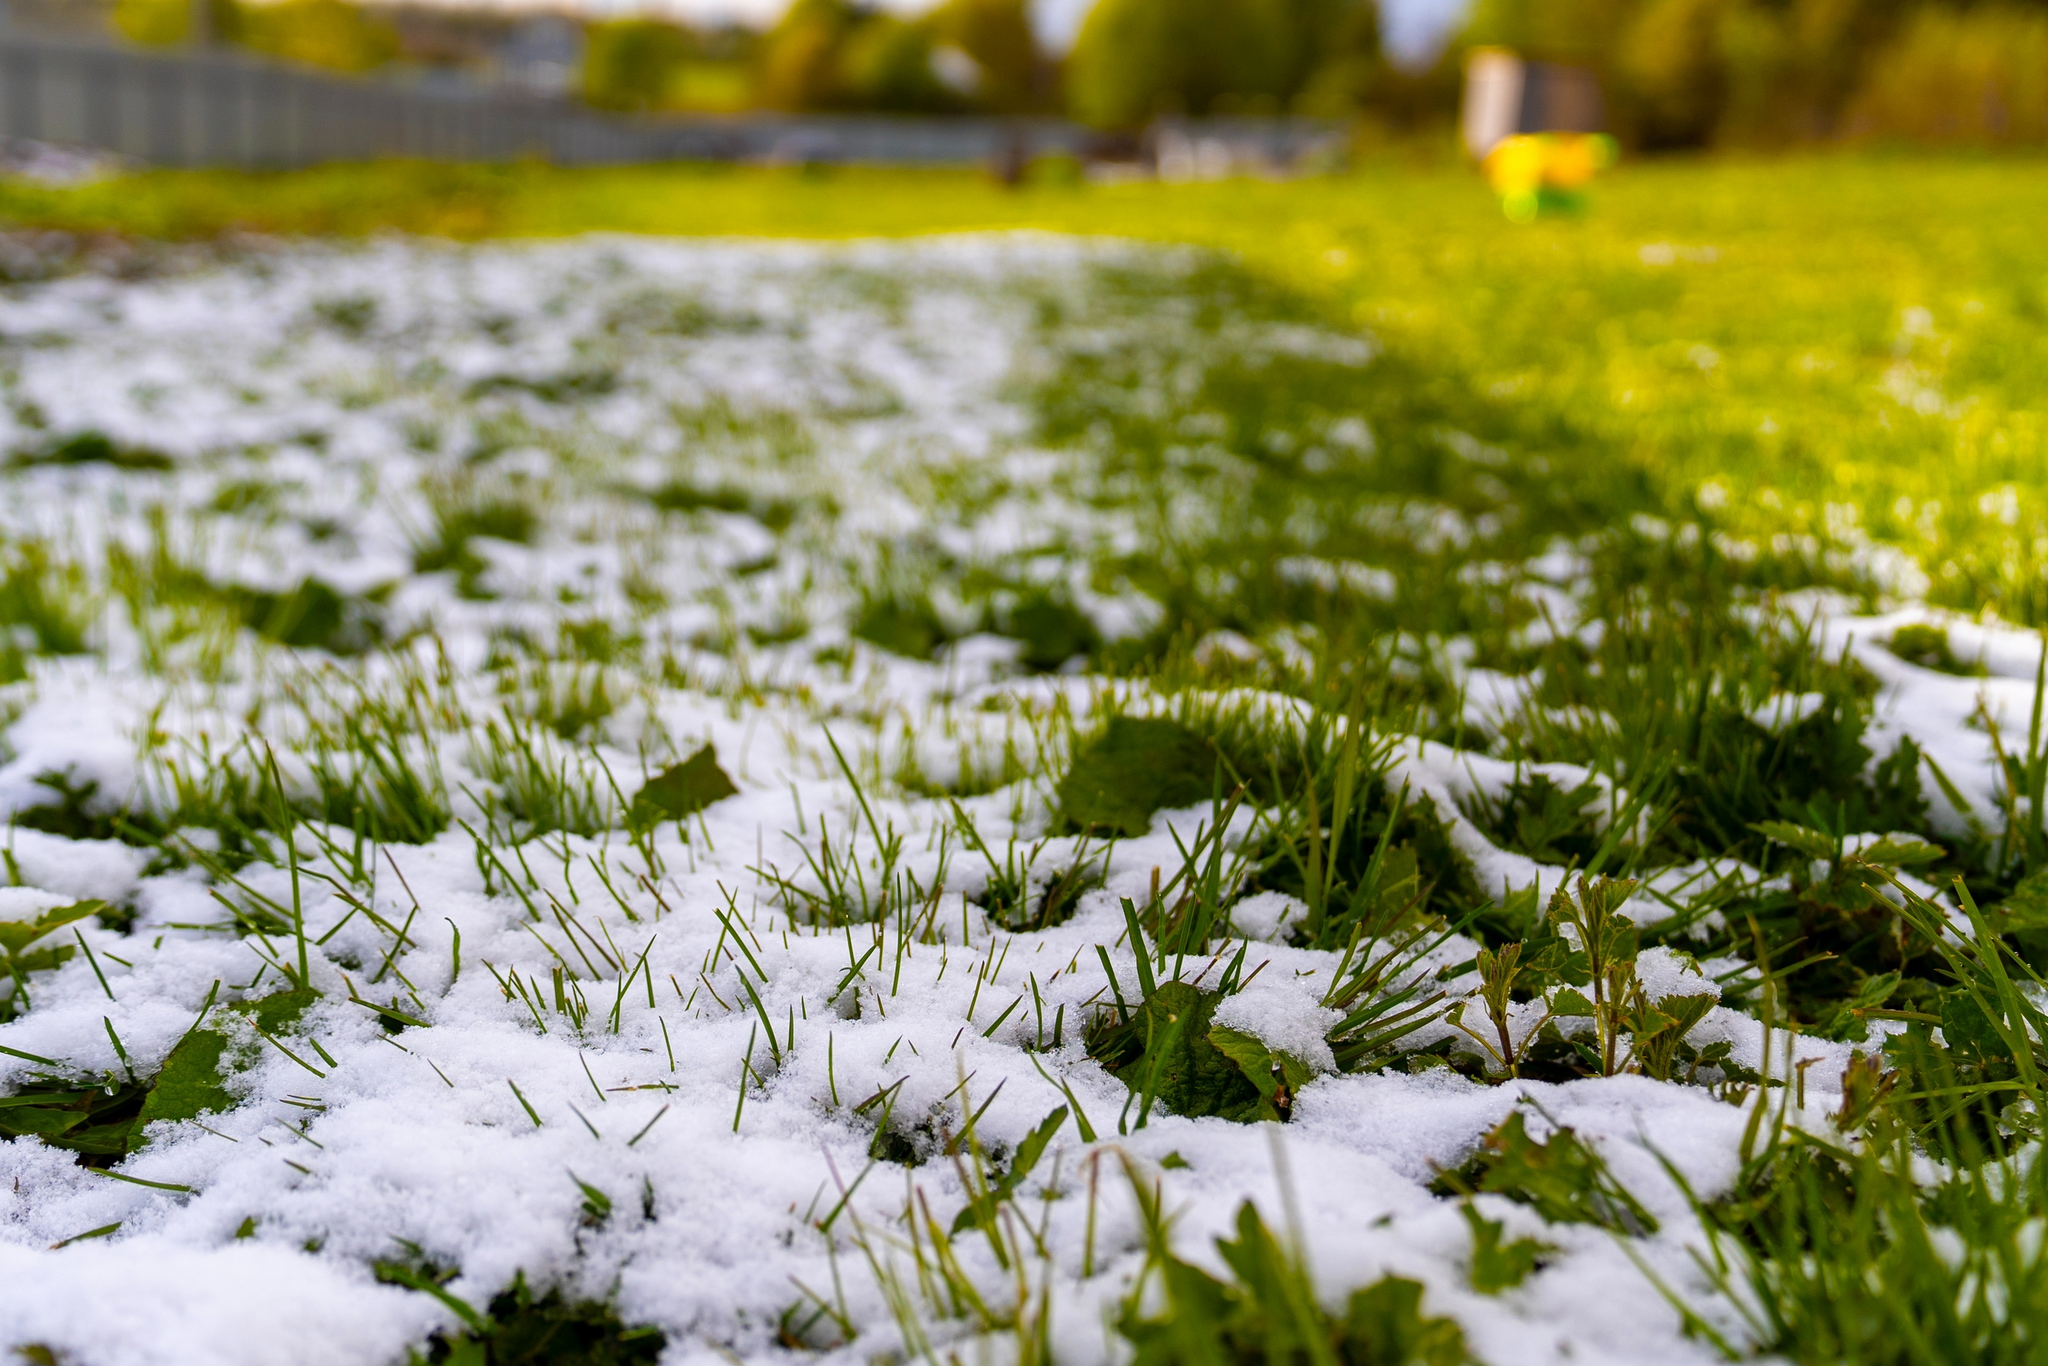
720,1115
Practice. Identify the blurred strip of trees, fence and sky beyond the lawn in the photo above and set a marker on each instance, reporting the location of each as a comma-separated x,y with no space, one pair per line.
169,81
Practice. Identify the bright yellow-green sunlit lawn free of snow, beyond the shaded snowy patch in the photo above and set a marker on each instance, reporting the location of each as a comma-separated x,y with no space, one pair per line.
1809,333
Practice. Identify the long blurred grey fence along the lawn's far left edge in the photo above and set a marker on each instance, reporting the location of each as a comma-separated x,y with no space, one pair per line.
224,110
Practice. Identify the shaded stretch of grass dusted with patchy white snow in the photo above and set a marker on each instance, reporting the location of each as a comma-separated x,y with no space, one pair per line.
624,802
